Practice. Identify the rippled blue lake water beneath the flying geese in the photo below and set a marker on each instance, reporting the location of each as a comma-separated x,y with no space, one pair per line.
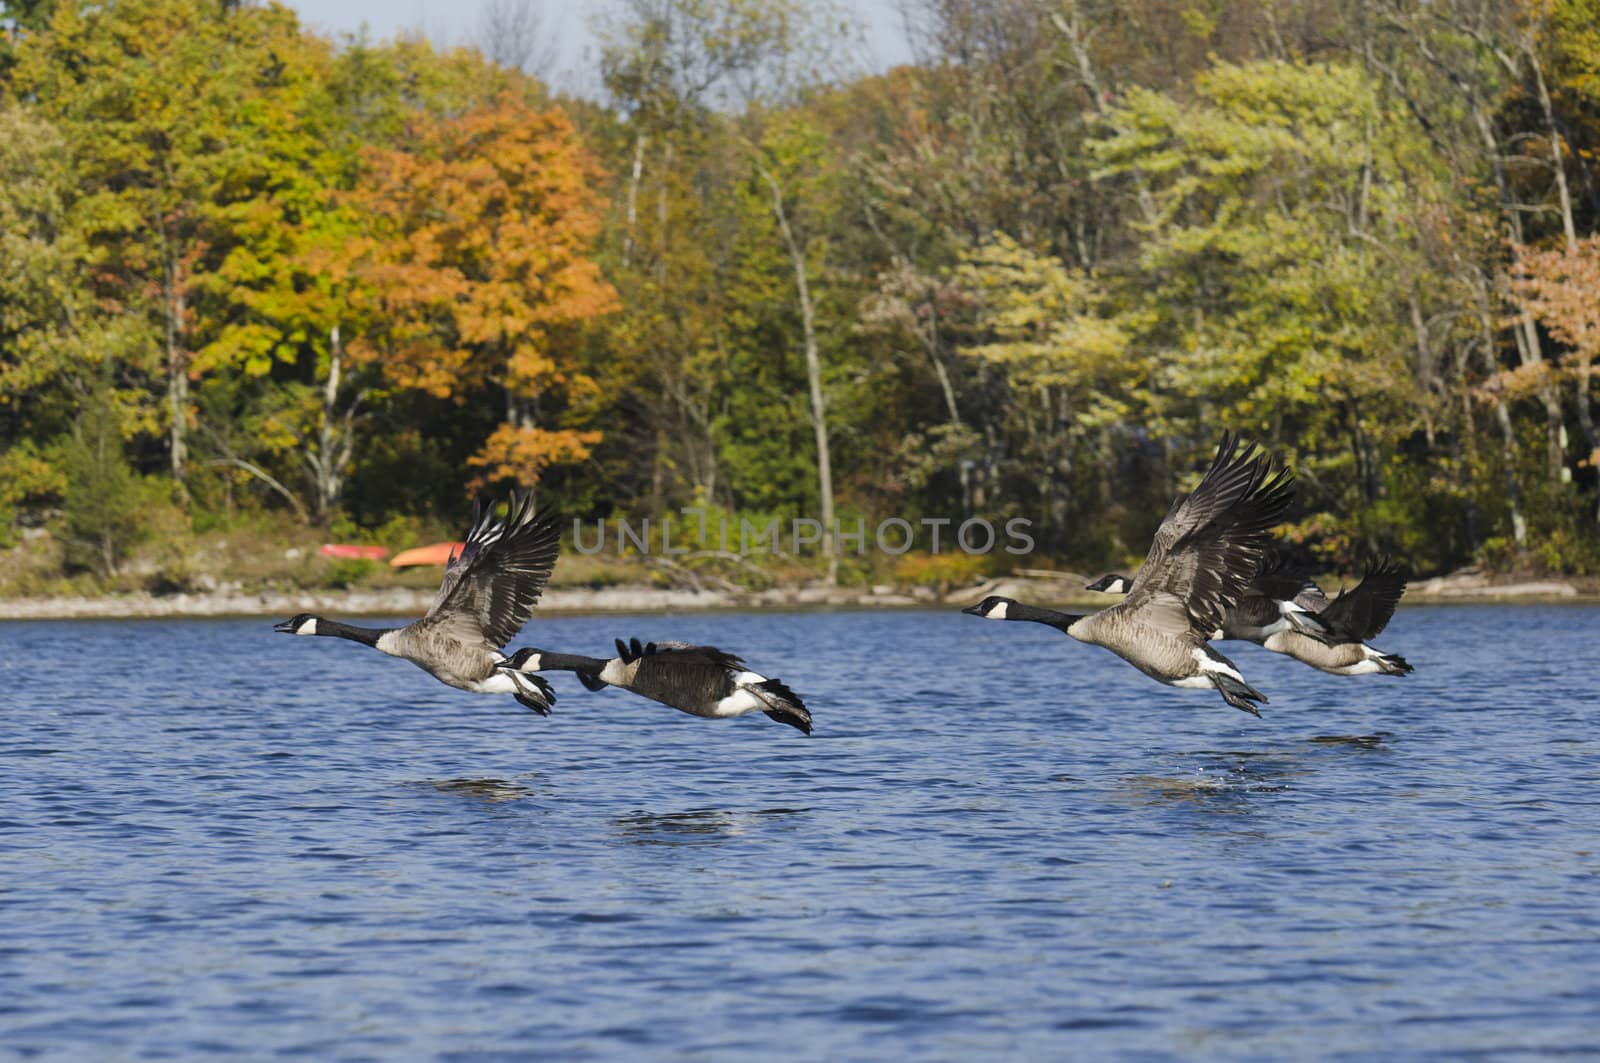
218,841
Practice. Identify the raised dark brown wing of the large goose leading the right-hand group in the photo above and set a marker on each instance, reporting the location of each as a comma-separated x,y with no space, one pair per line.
1210,545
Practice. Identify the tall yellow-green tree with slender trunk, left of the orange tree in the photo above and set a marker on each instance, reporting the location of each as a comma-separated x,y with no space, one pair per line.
148,97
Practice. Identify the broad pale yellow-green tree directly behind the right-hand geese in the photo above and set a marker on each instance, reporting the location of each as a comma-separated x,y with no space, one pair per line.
1263,287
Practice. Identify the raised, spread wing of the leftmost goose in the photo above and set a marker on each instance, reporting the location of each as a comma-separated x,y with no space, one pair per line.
495,582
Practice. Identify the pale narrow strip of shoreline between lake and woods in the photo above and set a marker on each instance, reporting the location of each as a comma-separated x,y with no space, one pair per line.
1466,588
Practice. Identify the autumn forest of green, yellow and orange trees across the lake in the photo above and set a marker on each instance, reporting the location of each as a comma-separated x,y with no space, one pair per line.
257,278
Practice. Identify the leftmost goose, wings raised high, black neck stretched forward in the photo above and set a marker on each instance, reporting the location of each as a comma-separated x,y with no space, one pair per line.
489,595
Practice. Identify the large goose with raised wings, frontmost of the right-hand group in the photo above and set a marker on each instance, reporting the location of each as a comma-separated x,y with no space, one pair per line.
1201,561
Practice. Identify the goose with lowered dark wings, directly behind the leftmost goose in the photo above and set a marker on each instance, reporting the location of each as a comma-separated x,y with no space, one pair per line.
698,680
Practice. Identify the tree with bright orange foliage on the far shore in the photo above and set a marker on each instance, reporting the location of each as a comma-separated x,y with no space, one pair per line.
478,263
